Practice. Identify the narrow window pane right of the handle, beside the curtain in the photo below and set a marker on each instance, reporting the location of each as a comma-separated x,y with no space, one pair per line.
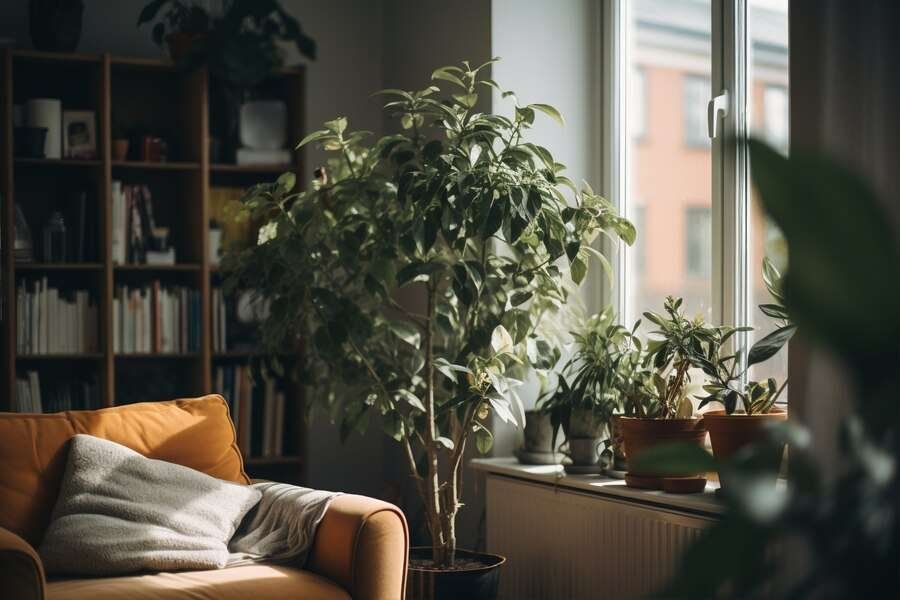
769,119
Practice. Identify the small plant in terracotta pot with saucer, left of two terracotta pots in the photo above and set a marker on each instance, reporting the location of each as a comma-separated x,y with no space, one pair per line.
667,416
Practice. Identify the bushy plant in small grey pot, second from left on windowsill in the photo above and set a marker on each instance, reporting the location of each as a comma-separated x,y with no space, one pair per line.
584,407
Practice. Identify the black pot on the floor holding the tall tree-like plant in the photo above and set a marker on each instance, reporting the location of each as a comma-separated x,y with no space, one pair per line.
470,581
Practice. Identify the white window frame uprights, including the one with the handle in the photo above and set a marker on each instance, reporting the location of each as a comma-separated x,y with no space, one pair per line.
730,168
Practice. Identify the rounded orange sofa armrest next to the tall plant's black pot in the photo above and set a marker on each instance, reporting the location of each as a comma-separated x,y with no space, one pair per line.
363,545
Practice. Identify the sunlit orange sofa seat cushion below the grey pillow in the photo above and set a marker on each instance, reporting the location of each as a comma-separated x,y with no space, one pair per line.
259,582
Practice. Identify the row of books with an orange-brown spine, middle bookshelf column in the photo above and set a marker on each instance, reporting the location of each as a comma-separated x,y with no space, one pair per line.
156,319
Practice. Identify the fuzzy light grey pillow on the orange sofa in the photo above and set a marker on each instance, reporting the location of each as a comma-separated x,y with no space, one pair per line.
120,512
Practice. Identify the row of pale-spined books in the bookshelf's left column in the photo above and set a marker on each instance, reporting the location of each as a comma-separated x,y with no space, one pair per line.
53,321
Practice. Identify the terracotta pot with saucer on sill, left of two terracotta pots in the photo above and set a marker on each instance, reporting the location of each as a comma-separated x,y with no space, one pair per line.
642,434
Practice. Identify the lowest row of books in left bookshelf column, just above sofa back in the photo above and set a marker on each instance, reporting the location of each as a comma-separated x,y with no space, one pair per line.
61,395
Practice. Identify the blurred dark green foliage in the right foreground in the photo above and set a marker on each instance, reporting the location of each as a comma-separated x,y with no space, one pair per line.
843,291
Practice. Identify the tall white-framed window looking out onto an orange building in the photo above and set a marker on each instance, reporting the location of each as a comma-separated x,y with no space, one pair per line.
701,233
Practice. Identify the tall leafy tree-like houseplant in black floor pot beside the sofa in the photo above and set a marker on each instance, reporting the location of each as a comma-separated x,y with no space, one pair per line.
405,268
